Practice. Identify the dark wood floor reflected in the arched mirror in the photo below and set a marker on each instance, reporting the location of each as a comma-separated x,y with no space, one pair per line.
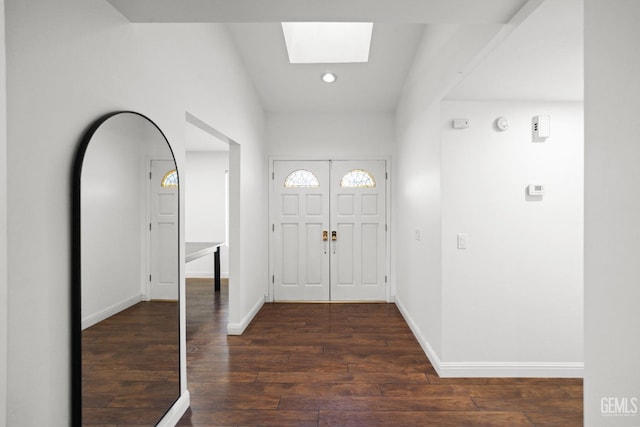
130,366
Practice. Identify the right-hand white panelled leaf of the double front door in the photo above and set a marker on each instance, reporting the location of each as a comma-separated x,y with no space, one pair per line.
358,216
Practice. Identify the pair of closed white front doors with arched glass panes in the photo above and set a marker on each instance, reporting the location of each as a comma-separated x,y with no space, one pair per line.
329,230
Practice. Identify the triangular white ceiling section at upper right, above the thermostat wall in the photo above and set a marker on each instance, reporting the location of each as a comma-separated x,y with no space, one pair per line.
542,59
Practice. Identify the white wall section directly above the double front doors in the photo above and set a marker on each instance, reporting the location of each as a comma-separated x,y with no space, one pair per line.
326,135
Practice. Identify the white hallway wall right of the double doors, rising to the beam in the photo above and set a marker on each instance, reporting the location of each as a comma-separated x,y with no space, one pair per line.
444,53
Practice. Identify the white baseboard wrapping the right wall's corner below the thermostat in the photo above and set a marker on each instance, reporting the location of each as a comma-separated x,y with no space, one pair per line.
491,369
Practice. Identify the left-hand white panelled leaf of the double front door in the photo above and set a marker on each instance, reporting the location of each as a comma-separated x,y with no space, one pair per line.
301,219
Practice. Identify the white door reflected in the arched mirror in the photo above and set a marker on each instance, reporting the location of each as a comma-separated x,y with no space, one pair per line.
164,232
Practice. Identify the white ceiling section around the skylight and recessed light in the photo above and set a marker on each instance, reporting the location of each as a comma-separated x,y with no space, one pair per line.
372,86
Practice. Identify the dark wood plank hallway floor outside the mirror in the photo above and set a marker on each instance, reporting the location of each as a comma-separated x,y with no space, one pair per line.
344,365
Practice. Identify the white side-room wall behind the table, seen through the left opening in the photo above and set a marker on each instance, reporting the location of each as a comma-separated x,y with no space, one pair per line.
205,206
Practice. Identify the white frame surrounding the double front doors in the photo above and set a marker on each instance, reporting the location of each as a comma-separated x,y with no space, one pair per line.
390,294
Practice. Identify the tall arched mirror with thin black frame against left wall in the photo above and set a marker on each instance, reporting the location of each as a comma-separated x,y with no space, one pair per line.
126,355
